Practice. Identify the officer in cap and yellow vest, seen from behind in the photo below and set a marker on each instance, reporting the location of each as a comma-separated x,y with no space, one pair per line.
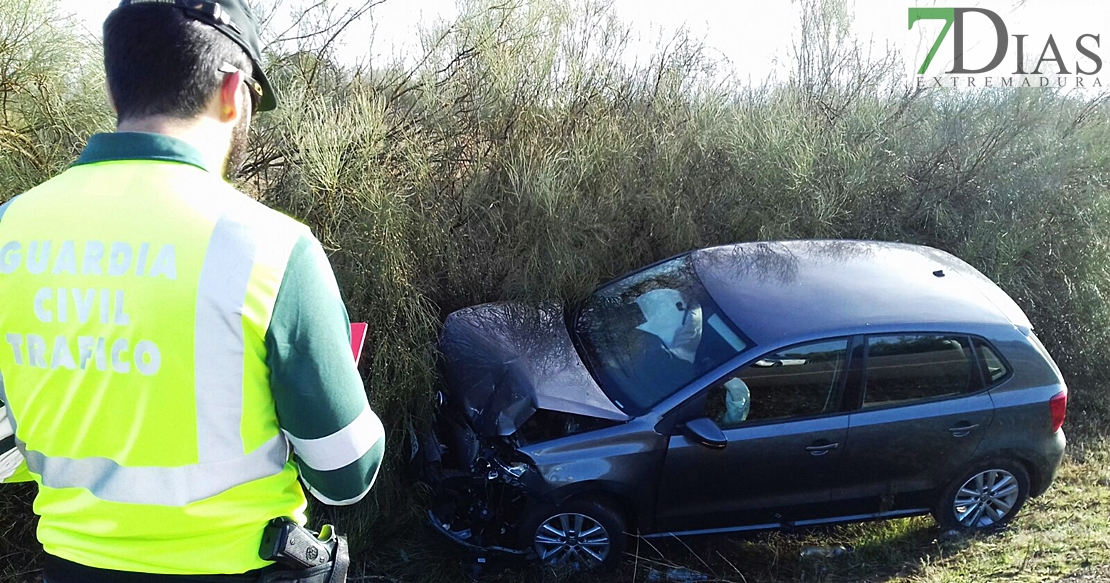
174,355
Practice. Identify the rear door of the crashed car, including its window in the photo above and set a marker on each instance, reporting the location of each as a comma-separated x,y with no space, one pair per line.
923,414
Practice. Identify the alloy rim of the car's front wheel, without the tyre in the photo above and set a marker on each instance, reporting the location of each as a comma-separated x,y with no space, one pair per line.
571,538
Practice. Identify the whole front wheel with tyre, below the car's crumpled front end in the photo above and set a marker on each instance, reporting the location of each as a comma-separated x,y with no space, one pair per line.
580,535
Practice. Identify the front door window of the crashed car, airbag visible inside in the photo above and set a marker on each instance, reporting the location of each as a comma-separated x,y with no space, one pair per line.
800,381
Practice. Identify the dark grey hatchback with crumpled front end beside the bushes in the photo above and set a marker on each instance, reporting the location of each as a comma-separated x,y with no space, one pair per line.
742,388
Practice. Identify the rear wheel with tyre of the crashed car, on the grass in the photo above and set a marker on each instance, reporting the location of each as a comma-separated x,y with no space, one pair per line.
985,497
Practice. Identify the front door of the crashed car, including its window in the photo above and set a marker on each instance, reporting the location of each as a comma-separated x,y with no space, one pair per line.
784,430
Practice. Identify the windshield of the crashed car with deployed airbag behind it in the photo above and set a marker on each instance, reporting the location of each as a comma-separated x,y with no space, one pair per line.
653,333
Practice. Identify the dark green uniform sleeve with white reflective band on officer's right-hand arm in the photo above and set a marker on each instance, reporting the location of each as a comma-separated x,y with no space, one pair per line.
338,440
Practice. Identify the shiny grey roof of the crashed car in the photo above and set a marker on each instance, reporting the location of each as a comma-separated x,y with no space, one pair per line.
779,291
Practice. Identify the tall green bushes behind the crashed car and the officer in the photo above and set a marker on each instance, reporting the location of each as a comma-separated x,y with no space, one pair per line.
523,157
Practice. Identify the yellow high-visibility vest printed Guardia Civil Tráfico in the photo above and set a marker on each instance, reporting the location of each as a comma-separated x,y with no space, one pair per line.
136,301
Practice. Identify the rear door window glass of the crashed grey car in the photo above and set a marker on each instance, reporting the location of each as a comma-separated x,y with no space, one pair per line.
909,368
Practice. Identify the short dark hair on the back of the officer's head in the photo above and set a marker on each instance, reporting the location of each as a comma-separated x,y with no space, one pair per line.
162,63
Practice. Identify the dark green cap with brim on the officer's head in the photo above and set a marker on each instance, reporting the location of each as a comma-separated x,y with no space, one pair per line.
235,19
